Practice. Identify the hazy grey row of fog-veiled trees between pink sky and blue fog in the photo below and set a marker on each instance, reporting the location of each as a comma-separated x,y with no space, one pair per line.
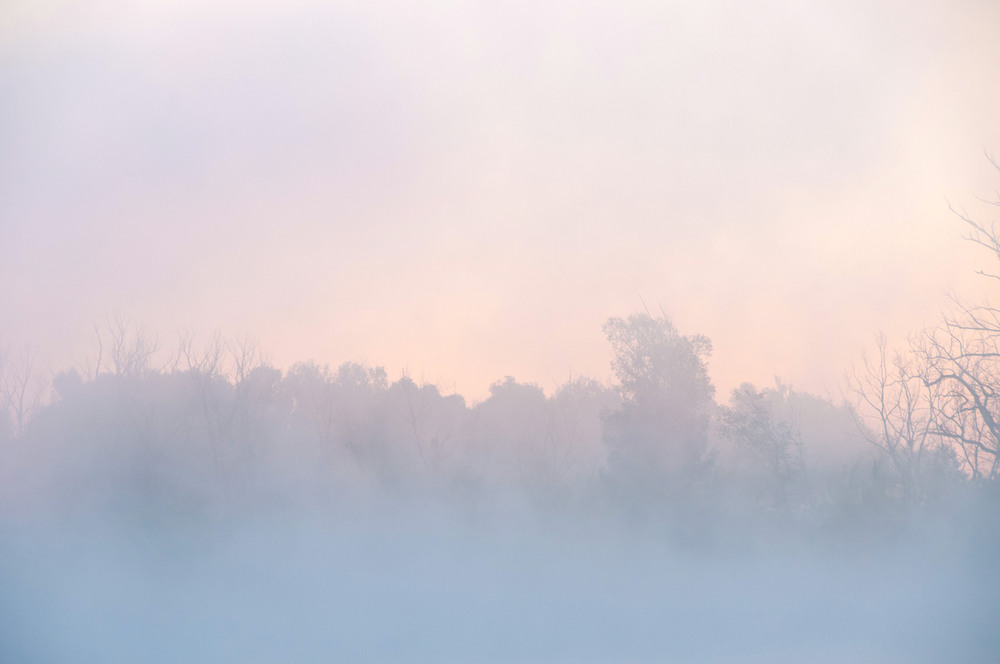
219,429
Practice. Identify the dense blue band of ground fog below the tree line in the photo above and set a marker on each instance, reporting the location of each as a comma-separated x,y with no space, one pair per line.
319,591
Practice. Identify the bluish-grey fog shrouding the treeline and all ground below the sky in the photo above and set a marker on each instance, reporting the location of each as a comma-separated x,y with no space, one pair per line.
220,509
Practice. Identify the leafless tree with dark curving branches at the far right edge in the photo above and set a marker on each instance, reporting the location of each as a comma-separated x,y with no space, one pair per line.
941,397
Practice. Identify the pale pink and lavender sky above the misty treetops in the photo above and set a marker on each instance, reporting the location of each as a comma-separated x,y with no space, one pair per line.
461,191
